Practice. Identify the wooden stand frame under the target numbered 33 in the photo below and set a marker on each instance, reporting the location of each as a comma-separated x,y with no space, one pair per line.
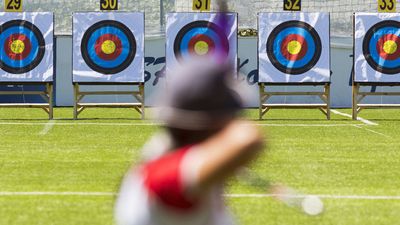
358,96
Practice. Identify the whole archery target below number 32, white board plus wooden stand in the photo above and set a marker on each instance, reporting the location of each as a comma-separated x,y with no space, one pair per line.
293,50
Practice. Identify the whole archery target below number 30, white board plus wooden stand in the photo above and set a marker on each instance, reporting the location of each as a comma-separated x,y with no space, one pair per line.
108,50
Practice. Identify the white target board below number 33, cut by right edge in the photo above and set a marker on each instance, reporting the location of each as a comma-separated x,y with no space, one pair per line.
377,47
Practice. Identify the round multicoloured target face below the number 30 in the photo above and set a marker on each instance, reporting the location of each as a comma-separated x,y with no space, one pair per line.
108,47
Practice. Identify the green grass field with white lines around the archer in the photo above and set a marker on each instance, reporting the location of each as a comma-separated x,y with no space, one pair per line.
44,164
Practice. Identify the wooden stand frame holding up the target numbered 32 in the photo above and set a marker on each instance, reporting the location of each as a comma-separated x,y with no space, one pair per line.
323,107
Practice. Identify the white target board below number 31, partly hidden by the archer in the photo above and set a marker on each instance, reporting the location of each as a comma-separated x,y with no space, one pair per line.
192,35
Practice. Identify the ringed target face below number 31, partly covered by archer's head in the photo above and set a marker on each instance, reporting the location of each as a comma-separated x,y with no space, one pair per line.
200,38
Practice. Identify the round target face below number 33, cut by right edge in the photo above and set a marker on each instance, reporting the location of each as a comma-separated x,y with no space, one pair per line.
381,47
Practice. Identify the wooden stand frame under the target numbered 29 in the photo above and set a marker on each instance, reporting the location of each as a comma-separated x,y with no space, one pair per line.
46,94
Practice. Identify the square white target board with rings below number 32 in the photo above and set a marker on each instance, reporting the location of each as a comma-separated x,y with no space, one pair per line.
294,47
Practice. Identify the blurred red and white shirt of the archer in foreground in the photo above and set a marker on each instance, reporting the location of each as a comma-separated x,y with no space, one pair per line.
154,195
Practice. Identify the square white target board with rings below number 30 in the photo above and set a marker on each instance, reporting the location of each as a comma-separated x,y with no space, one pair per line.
108,47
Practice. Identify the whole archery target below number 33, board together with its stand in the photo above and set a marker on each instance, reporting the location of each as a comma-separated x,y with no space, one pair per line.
376,58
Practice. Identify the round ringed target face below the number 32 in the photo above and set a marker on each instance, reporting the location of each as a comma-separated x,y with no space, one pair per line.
294,47
